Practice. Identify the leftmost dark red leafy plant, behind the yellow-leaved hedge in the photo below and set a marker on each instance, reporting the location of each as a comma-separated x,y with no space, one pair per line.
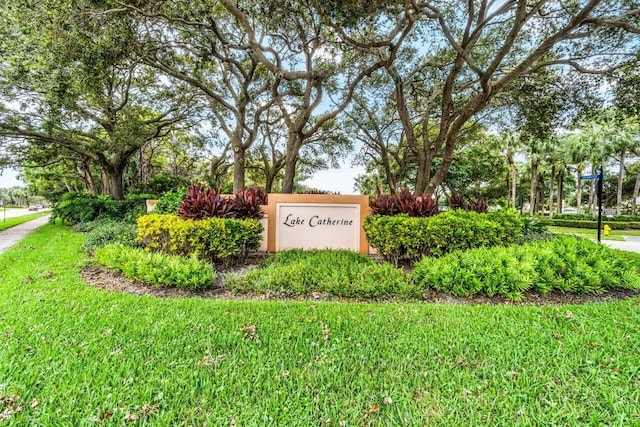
202,203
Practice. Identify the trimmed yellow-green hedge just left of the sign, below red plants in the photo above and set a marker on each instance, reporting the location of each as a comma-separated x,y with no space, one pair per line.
217,240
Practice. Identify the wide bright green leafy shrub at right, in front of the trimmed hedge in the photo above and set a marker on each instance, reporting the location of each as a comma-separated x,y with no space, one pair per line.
563,264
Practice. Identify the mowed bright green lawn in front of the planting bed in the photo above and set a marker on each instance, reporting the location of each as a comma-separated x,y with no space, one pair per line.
74,355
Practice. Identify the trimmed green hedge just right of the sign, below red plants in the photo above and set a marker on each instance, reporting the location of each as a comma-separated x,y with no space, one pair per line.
398,236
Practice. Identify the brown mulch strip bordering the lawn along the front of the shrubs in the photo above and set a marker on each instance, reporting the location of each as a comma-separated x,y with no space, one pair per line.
112,281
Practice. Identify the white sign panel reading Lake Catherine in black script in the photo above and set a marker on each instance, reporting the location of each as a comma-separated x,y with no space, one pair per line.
317,226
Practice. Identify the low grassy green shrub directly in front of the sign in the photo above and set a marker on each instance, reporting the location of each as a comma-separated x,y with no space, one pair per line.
339,273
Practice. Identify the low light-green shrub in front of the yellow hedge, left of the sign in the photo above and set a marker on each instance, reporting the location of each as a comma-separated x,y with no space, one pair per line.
156,269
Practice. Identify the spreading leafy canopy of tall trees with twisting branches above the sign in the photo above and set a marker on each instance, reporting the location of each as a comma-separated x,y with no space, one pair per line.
287,86
